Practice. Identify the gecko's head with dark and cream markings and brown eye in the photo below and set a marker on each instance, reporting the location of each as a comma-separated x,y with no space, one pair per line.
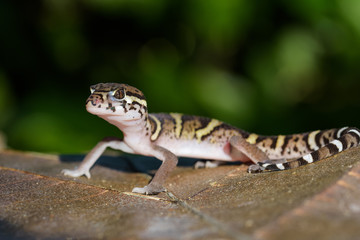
115,99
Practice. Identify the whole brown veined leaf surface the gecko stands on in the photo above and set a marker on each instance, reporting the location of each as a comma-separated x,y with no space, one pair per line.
318,201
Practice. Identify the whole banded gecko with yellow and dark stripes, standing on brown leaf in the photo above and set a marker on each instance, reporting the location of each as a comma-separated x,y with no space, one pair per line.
167,136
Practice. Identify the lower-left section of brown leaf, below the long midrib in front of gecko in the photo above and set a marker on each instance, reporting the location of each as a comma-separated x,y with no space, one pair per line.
35,206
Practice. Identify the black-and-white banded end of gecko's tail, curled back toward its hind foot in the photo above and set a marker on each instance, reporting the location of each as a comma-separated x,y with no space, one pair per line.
345,138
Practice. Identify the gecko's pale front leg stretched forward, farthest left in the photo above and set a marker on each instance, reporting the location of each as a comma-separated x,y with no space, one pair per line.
94,154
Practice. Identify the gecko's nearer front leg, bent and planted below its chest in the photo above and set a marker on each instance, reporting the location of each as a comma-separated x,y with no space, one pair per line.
169,163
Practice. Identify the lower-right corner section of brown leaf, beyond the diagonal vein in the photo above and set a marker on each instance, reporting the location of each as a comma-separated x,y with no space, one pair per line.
331,214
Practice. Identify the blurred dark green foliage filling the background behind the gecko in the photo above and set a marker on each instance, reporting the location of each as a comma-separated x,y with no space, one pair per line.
265,66
